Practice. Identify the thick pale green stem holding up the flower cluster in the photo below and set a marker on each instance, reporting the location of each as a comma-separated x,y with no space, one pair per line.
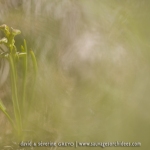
15,94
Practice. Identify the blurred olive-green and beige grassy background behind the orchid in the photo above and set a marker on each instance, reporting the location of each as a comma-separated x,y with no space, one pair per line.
94,68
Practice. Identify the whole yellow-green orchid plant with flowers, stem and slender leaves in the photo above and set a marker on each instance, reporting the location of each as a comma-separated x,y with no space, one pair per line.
14,57
